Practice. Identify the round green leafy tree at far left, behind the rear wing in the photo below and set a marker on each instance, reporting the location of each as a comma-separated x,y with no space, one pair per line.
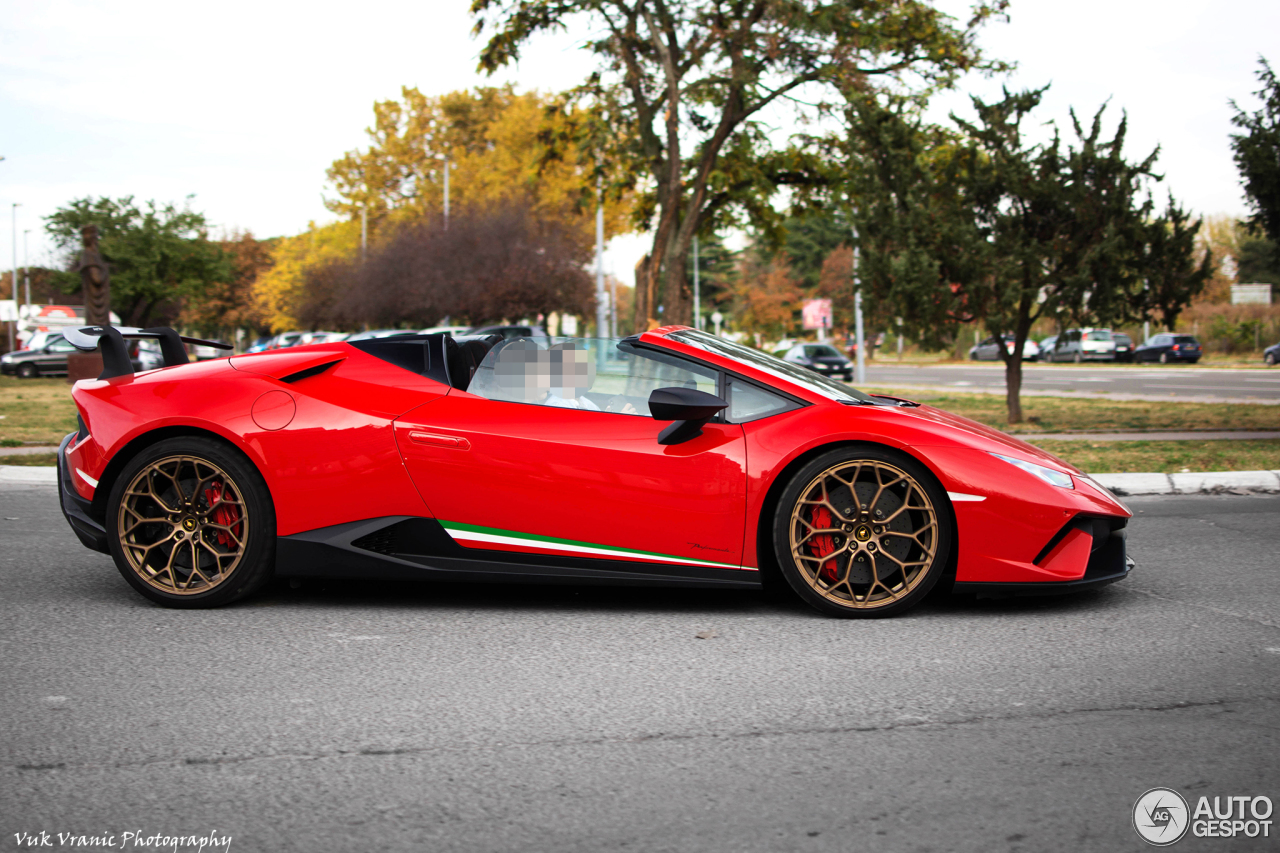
158,254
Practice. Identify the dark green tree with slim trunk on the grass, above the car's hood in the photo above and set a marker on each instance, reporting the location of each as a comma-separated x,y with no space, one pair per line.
985,226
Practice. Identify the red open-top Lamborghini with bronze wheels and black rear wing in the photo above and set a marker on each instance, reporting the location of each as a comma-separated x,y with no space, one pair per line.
669,458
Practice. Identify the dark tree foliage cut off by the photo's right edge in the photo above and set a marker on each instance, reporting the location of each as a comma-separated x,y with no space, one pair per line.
1258,156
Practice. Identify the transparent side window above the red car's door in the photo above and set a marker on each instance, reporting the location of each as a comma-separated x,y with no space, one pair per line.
595,375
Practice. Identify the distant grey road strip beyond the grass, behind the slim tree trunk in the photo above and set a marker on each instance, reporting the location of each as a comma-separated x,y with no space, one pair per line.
1118,382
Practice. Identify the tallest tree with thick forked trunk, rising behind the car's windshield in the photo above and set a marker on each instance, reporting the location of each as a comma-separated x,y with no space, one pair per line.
684,89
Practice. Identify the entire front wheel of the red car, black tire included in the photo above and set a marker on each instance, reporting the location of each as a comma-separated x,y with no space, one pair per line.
865,556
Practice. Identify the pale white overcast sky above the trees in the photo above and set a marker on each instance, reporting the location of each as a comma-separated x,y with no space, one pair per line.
246,104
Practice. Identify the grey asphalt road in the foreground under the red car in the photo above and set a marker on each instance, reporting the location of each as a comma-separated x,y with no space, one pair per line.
436,718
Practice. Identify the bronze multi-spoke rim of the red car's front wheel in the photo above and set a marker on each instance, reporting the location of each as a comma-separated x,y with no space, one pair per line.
865,535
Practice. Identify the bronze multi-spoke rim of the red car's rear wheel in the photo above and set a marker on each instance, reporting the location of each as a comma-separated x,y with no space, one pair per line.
182,526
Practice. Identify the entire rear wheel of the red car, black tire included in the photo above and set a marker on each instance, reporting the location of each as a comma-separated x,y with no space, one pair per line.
222,533
